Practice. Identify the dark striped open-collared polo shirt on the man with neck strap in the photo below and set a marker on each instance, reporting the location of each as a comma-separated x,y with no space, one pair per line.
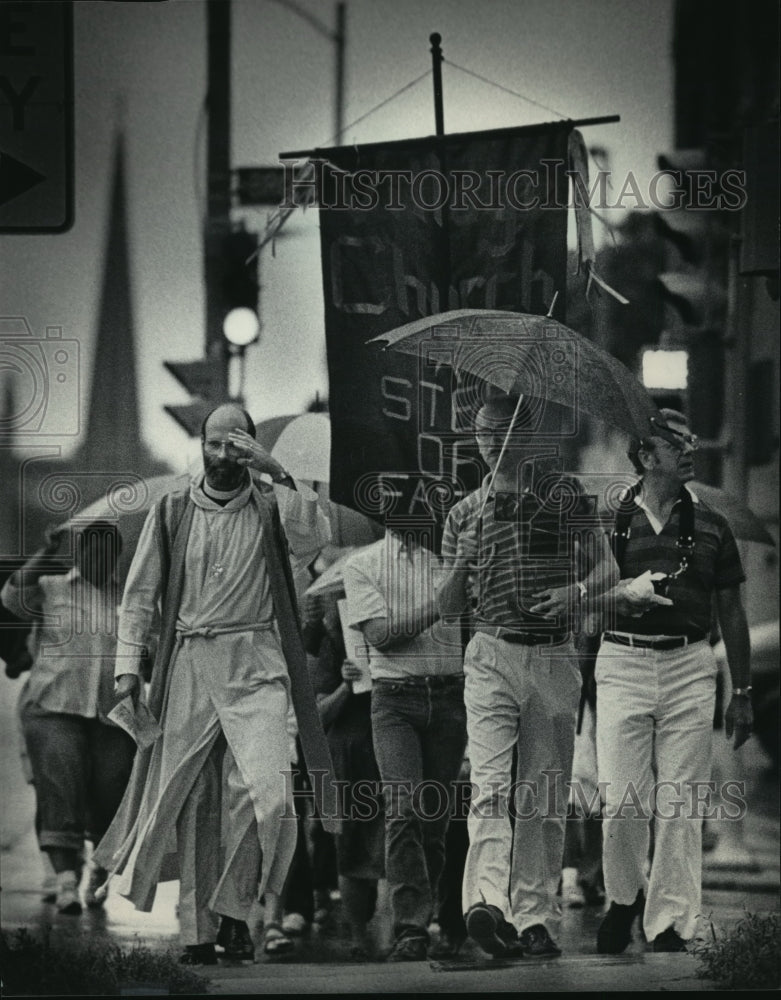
715,566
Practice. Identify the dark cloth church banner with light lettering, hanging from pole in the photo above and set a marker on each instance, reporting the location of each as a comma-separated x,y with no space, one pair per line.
406,232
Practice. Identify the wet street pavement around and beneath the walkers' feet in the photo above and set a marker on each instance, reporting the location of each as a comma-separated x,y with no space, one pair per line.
741,874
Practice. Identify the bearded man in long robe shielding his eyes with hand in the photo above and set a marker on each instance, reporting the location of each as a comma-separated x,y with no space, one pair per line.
210,802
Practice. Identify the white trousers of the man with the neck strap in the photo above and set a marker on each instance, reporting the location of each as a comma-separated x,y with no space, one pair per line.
654,739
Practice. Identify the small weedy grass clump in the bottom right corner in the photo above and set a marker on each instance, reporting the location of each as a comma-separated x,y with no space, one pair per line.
748,956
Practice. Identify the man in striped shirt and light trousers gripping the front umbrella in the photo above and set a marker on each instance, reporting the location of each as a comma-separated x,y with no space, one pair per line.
512,560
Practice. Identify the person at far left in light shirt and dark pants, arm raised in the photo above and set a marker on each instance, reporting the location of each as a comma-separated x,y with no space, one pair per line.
80,760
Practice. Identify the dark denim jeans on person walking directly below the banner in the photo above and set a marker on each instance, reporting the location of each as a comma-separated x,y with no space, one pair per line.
419,734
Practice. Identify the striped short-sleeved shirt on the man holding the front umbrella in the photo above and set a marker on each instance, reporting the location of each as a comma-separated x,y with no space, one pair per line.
526,545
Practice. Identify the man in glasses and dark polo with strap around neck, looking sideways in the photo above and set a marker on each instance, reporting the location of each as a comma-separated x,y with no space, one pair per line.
656,689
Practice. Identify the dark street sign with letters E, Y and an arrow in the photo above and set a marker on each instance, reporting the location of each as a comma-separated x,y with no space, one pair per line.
36,117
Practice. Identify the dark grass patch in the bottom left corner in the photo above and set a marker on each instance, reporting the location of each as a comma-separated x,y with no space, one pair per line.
33,966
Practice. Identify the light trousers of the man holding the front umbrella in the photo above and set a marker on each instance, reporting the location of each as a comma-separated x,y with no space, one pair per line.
521,702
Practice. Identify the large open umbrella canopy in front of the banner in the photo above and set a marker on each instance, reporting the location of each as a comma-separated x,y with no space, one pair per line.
534,356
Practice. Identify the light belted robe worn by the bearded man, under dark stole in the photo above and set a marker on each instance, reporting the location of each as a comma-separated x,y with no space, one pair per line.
215,809
